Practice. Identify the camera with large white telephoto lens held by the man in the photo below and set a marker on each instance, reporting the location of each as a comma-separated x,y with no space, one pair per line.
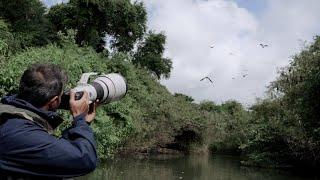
106,88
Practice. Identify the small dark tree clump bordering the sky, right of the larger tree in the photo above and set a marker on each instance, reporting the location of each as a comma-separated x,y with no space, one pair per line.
150,55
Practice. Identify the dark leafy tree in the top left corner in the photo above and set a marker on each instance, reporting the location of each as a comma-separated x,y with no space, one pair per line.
27,21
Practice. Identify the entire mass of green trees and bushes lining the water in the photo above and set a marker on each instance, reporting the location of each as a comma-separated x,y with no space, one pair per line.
281,130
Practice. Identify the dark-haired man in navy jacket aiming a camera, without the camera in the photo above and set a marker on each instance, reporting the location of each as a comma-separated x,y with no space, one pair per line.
27,147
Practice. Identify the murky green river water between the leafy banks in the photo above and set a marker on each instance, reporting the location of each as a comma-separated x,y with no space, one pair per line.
186,167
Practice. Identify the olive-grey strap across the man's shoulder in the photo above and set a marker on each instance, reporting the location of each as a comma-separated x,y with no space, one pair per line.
9,111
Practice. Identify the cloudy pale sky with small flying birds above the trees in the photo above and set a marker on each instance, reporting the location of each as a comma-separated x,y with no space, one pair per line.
234,28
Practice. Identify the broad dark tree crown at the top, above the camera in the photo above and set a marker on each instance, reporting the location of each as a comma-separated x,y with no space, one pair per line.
121,21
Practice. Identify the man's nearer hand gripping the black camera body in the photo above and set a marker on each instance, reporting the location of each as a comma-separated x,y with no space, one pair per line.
80,106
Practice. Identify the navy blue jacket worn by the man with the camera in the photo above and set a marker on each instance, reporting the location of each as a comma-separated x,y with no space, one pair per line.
26,149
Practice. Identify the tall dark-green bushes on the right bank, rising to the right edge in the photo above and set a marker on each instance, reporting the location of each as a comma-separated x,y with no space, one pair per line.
285,129
